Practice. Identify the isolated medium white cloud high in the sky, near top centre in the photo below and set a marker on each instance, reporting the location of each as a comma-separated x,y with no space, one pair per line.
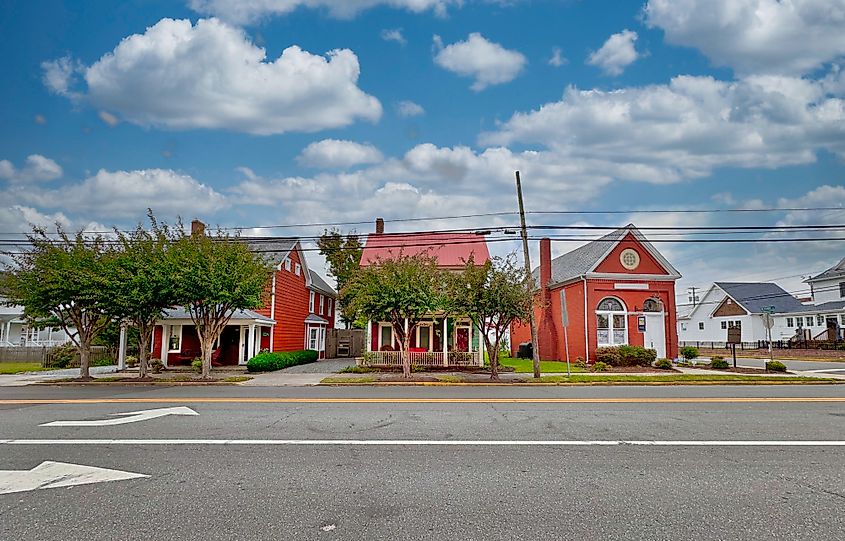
487,62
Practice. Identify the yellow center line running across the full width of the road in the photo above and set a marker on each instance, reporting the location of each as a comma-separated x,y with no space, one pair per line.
286,400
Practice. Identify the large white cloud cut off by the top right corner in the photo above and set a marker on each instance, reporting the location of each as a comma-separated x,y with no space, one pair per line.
755,36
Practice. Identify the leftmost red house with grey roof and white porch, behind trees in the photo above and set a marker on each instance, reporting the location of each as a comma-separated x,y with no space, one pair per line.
299,311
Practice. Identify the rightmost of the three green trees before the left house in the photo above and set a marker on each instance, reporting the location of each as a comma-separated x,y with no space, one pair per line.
213,277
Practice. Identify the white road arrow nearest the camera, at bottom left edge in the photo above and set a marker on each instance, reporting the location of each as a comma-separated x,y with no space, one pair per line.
58,474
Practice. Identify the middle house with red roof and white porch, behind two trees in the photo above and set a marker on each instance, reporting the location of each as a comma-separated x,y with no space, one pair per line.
439,340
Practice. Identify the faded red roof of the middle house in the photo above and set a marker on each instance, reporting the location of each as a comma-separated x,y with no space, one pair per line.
450,249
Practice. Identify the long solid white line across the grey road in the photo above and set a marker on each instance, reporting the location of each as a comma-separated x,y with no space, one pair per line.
416,443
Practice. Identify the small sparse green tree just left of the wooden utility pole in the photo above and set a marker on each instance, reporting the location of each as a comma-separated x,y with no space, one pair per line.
493,296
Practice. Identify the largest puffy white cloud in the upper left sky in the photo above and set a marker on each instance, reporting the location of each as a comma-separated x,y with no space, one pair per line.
209,75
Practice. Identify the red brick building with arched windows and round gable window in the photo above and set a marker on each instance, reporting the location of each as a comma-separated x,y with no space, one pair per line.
613,291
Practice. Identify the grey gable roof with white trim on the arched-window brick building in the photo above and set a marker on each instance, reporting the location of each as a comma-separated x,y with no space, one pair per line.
585,259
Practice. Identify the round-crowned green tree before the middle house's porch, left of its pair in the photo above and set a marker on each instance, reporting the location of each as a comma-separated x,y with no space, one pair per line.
401,290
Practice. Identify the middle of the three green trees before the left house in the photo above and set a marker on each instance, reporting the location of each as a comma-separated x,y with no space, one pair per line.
142,283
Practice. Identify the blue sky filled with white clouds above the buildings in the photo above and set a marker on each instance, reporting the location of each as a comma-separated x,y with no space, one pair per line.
192,108
